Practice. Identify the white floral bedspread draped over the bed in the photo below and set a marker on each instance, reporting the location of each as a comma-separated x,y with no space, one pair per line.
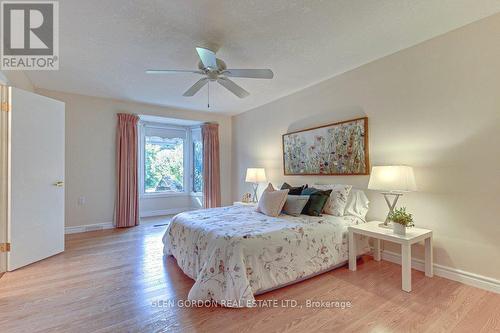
235,252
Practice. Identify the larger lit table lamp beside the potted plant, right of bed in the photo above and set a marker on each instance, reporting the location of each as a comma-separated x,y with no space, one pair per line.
393,181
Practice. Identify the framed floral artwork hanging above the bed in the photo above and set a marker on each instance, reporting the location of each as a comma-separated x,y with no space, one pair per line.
334,149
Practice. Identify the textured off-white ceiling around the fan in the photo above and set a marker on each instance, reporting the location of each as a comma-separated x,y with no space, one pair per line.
106,45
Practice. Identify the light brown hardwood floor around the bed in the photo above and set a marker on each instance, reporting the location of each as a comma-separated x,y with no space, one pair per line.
110,281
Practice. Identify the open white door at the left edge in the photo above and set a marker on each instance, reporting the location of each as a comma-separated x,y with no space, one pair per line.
36,186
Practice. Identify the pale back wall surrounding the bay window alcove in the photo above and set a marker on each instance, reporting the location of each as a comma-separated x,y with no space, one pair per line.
90,155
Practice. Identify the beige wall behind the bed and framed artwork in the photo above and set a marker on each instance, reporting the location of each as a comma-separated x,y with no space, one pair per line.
435,106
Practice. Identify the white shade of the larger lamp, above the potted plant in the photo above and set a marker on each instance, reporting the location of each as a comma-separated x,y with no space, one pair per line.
394,178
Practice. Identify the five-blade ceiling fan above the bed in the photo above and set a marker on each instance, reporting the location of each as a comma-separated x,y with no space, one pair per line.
215,70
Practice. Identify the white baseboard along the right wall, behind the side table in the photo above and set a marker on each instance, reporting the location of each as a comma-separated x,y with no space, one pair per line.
471,279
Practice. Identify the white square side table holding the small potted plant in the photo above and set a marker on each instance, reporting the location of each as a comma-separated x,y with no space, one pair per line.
413,235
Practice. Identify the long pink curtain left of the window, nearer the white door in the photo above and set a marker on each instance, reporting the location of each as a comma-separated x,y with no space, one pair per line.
127,199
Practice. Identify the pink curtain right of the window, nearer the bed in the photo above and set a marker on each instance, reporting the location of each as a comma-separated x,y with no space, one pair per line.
211,168
